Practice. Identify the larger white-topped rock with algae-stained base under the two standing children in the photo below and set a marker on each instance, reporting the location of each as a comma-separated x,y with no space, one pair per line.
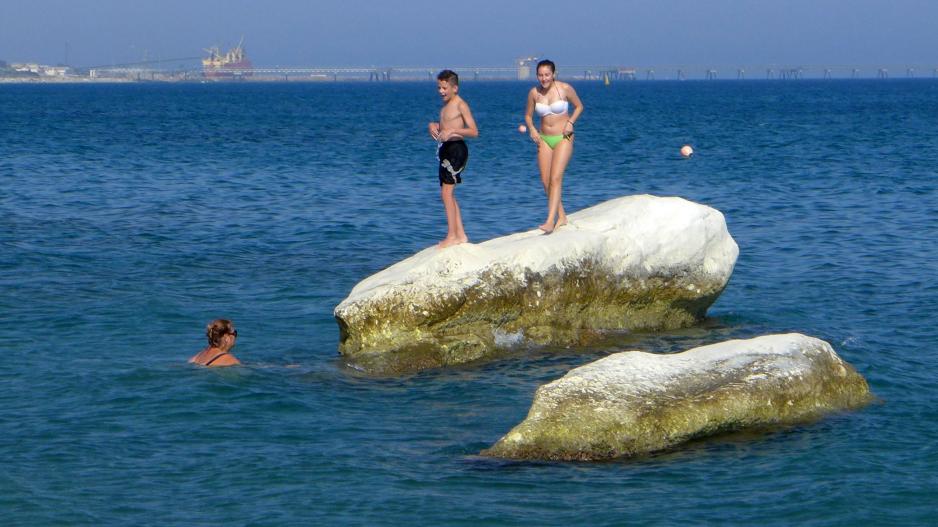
636,262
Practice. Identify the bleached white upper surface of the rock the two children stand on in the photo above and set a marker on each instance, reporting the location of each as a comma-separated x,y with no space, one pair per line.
633,235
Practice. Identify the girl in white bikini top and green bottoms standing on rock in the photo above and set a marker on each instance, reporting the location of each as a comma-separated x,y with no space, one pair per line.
551,100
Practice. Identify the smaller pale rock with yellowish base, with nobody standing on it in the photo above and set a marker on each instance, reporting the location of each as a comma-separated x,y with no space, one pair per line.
633,402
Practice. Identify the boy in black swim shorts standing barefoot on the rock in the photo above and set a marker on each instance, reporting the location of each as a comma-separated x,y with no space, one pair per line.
456,123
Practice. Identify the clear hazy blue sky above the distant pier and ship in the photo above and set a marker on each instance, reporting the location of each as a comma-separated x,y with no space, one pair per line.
476,32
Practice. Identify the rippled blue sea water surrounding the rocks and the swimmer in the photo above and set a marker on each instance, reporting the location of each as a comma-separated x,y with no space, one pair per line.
132,215
